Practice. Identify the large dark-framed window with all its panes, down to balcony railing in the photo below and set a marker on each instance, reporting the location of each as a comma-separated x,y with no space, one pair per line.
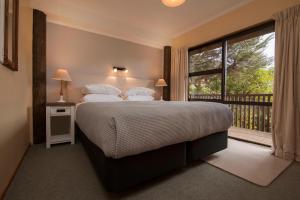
240,64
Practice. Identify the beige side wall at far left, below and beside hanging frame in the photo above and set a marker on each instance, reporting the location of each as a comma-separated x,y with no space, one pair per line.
15,101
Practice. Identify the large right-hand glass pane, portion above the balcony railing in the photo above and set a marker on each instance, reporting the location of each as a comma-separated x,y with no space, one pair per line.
250,68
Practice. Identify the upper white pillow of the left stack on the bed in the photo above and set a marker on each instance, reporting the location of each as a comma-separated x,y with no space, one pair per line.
100,89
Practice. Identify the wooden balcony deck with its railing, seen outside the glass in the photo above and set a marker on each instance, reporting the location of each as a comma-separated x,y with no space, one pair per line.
252,115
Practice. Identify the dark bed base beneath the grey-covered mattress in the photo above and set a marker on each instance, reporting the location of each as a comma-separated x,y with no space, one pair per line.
120,174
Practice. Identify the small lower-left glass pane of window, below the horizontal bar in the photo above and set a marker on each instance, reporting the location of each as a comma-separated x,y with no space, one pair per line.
205,87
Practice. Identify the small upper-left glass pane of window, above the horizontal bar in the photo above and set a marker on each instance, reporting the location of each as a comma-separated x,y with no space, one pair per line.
206,58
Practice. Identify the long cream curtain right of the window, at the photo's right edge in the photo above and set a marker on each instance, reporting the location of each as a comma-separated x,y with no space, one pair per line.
286,102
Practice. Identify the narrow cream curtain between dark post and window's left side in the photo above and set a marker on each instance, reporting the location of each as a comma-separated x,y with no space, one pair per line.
179,74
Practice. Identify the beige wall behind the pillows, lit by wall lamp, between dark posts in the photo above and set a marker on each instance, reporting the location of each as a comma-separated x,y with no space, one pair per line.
89,58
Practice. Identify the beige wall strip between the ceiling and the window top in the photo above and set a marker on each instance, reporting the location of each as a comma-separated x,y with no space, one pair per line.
251,14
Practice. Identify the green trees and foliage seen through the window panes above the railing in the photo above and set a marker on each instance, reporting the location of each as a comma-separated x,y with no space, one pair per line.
249,69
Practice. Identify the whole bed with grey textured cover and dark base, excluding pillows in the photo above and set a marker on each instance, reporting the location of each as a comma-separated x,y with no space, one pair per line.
131,142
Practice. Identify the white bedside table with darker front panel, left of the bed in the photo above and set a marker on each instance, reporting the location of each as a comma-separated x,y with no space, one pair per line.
60,123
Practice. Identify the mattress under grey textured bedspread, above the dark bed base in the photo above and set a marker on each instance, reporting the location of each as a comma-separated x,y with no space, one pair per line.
122,129
